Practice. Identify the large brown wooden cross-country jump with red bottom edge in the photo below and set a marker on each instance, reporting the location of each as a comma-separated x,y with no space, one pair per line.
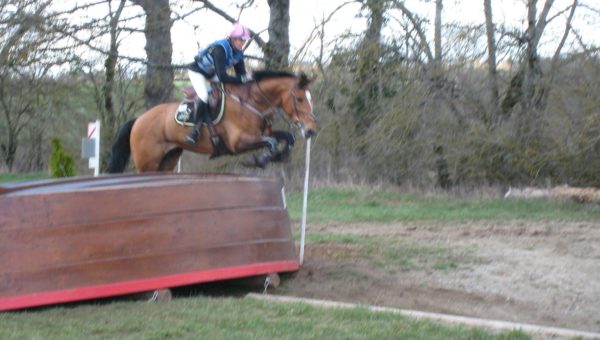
85,238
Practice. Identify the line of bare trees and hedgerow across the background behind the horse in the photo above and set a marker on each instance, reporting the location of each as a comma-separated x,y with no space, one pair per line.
436,102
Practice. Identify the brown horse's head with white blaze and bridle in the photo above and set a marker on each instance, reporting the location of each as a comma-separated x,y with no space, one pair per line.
299,107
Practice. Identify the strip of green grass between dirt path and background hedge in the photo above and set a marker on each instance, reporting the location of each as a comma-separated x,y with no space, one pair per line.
348,205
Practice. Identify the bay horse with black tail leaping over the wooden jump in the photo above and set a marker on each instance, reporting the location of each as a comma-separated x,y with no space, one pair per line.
156,141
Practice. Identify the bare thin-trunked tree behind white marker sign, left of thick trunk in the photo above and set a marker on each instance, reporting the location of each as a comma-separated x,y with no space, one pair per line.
102,34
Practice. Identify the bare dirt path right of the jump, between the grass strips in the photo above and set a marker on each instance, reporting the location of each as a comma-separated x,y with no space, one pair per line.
545,273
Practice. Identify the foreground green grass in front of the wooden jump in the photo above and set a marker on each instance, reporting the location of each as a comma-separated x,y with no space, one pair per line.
225,318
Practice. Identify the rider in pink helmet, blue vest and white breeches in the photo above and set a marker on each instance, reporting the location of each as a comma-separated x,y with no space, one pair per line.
211,64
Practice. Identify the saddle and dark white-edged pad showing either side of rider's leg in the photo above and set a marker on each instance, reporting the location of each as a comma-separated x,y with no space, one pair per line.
187,108
